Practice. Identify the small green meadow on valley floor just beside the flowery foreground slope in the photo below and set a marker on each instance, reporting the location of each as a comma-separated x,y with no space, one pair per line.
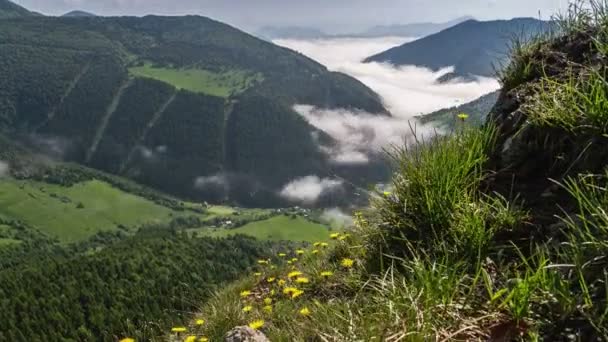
278,228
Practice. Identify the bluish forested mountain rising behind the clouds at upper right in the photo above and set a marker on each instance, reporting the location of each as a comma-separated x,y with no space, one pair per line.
472,47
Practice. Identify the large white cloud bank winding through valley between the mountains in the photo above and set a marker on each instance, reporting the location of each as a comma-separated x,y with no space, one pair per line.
407,91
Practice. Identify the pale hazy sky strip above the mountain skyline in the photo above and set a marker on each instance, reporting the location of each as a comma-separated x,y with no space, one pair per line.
334,16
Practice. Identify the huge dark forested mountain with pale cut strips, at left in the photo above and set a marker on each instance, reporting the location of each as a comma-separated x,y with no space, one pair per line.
187,105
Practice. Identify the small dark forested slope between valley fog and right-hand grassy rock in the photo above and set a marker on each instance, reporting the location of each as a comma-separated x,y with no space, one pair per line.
477,111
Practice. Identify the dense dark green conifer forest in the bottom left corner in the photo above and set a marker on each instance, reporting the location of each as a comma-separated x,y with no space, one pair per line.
137,287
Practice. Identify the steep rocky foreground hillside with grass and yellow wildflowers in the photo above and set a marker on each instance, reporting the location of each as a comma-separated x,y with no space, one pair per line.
493,233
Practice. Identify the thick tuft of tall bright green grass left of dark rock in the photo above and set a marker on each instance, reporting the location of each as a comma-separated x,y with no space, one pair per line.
433,182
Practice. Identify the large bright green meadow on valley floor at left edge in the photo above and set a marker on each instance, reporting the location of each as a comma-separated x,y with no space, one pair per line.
104,208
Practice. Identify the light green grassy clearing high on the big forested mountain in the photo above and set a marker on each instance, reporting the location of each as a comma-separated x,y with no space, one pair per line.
222,84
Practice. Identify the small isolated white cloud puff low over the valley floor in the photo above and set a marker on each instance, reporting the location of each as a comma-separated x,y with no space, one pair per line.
308,189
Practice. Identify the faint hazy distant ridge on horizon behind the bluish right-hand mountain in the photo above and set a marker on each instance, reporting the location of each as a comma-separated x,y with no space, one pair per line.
412,30
